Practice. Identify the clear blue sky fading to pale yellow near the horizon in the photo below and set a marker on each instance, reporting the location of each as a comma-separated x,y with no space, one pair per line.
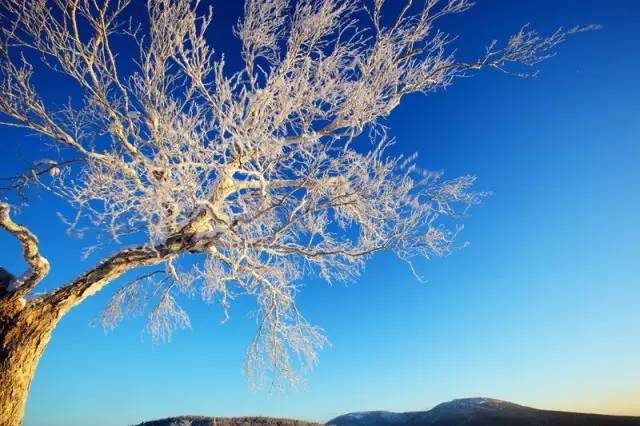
541,309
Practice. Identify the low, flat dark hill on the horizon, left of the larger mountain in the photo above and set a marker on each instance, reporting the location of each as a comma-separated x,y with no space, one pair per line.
226,421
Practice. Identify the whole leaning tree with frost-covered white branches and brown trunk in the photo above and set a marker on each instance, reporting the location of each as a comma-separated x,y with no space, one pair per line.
262,176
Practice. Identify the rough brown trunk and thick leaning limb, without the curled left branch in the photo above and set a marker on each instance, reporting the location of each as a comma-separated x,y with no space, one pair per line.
25,327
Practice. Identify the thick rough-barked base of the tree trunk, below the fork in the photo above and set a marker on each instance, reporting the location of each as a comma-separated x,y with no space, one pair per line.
24,333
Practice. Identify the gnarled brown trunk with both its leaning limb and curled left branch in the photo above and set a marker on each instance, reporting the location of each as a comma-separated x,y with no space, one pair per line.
25,327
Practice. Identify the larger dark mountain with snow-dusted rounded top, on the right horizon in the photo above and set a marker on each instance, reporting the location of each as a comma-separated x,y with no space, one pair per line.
481,412
